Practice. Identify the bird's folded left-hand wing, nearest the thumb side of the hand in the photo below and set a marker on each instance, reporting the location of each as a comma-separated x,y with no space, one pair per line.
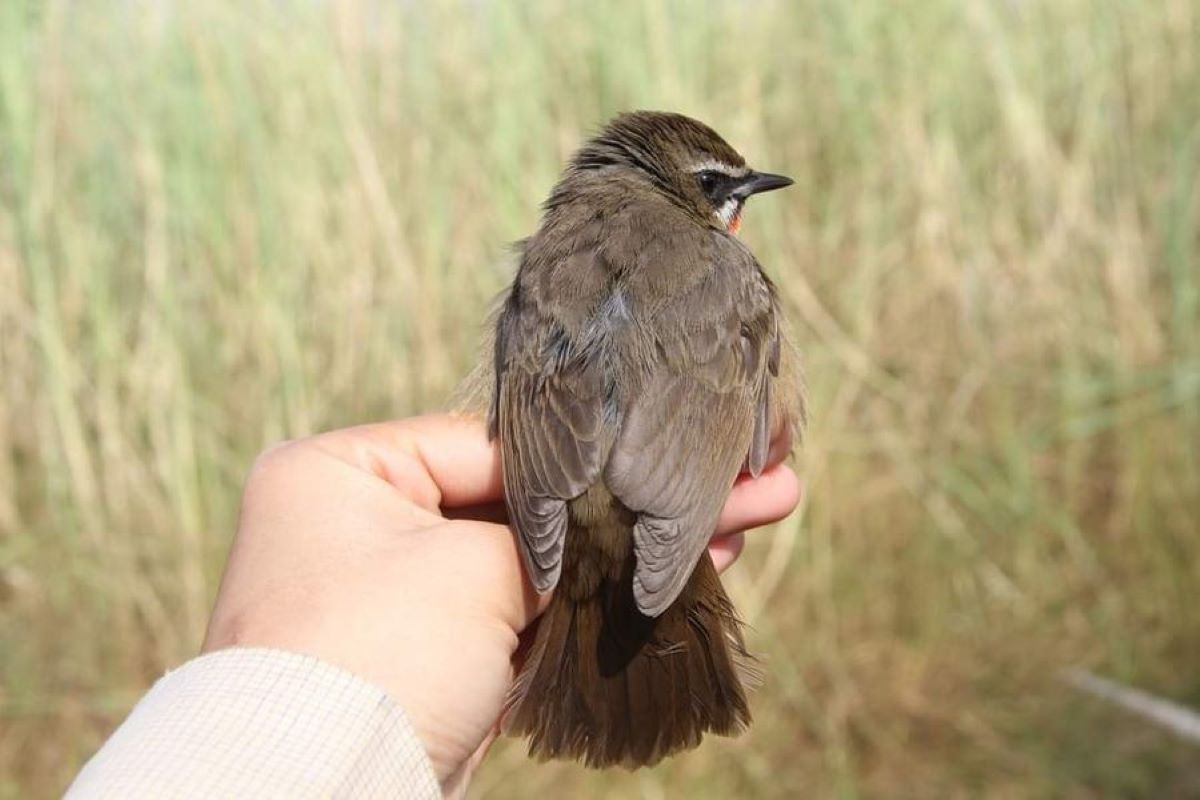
549,414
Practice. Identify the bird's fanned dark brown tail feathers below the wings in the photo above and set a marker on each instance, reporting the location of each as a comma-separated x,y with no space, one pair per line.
607,685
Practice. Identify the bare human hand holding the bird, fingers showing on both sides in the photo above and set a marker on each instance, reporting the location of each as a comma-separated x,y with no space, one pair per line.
382,550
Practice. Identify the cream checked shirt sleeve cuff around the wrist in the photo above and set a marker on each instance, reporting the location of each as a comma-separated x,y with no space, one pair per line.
261,724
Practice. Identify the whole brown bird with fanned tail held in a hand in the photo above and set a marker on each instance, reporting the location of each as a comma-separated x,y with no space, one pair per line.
638,370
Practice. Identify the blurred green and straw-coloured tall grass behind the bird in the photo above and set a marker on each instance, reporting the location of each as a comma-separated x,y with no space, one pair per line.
226,224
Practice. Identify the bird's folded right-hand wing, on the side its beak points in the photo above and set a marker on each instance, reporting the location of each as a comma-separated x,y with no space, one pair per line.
705,411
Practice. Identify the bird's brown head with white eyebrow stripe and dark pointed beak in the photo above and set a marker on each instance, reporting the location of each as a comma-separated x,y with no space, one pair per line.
683,159
